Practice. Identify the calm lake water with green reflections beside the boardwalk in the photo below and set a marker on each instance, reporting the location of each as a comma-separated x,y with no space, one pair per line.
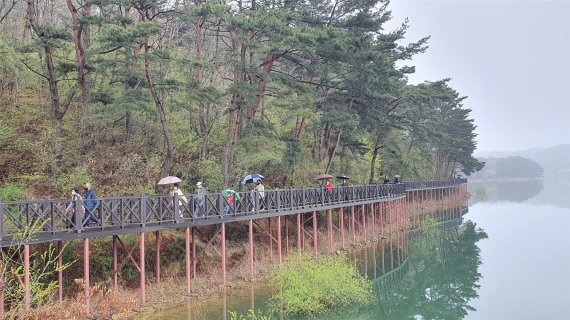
507,258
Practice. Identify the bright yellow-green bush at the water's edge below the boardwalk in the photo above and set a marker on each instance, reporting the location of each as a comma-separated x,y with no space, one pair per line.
312,286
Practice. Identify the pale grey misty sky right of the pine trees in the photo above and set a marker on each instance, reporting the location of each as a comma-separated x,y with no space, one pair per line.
511,58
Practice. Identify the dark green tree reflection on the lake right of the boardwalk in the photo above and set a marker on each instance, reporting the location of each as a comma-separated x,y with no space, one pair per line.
441,279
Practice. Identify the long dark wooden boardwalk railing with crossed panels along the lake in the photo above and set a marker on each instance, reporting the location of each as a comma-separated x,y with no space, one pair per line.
64,219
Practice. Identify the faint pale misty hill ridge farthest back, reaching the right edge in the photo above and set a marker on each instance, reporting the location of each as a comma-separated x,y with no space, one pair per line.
554,160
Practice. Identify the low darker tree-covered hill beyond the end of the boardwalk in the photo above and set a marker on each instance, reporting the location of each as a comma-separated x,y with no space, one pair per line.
509,168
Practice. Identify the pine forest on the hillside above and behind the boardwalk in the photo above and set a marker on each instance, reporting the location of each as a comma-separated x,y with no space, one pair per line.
120,93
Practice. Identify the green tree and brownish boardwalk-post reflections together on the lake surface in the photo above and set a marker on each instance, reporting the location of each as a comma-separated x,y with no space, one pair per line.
431,275
